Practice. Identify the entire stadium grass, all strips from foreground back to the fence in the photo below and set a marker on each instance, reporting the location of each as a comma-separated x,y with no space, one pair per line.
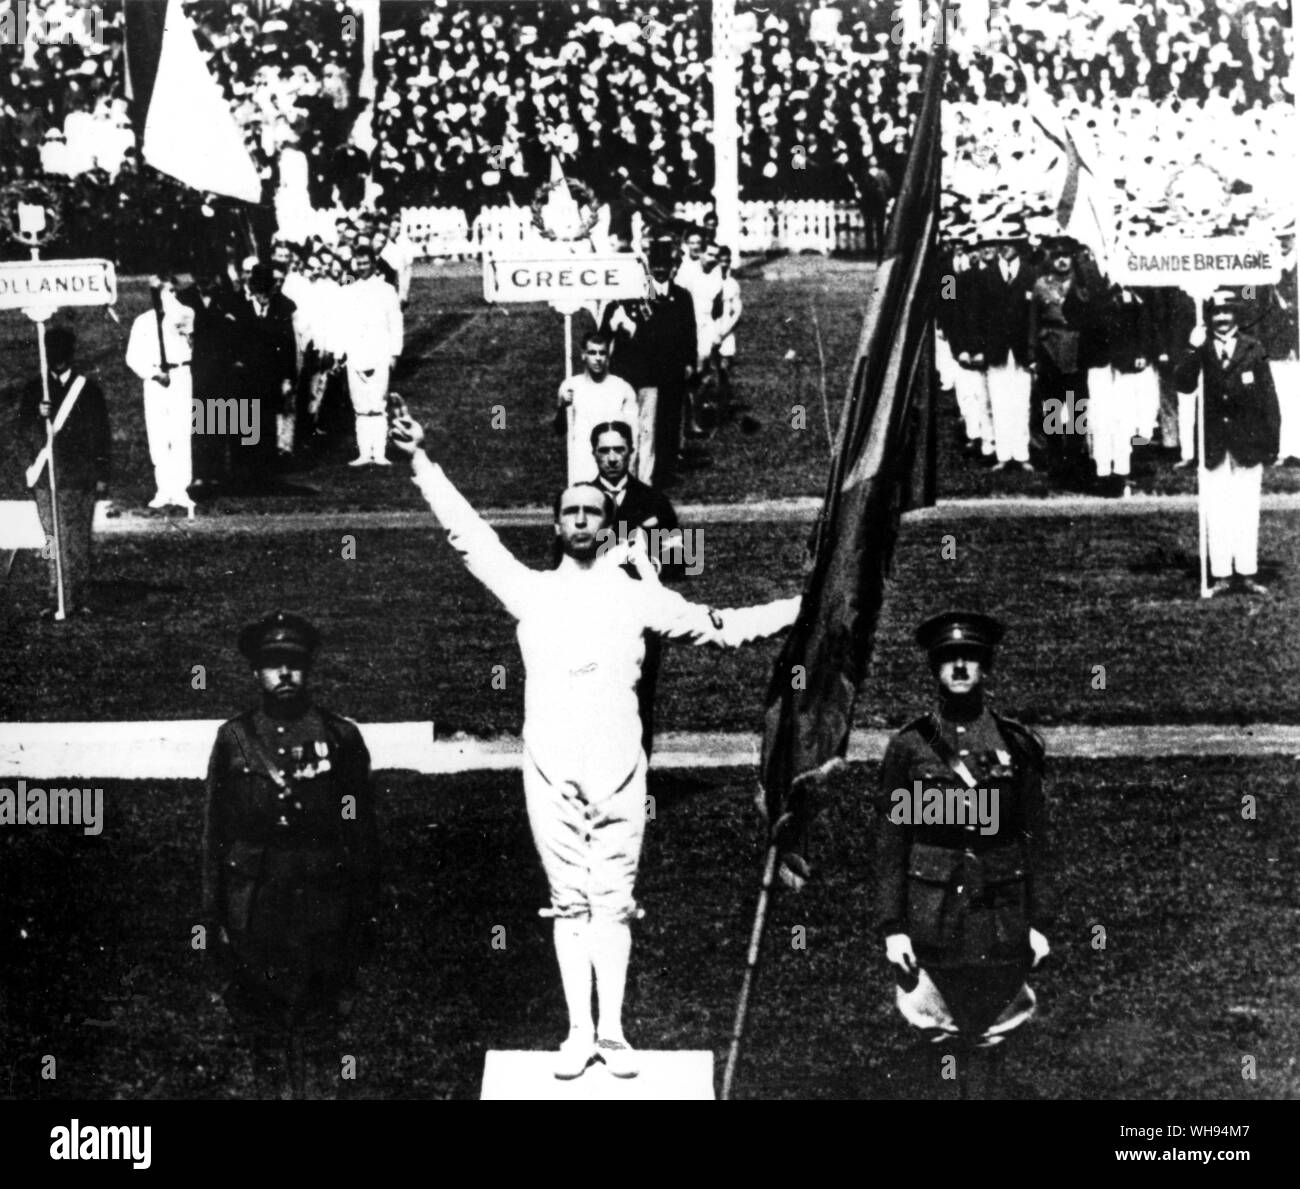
1106,628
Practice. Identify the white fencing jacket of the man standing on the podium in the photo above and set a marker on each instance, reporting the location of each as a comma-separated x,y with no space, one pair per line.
582,636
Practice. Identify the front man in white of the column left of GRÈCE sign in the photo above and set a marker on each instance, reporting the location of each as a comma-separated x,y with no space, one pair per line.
372,342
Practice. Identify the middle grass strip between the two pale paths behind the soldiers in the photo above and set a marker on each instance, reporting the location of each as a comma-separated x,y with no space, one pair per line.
413,636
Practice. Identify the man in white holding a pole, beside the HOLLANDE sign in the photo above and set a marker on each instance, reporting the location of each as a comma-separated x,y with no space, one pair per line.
159,353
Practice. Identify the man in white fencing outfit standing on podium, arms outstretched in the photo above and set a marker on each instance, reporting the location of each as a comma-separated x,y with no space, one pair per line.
582,631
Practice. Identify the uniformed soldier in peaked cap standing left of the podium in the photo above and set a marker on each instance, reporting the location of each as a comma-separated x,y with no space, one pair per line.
291,860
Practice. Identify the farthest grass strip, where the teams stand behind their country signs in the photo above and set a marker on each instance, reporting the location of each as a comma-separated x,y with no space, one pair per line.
466,361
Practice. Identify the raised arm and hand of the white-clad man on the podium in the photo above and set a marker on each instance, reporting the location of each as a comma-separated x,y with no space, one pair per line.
470,535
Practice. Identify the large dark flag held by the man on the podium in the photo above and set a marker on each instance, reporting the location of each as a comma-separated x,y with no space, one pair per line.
883,465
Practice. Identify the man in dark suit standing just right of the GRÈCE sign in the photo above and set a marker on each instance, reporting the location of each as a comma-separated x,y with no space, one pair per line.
655,352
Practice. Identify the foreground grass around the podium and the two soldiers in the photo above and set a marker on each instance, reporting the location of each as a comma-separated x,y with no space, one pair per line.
1194,974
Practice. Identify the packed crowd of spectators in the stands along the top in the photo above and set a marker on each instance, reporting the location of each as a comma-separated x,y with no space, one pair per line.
469,109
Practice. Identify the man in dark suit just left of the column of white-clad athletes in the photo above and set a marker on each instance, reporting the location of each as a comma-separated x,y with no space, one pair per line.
265,367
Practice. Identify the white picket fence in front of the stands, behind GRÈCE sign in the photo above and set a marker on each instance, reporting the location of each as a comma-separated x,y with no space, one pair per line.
794,227
